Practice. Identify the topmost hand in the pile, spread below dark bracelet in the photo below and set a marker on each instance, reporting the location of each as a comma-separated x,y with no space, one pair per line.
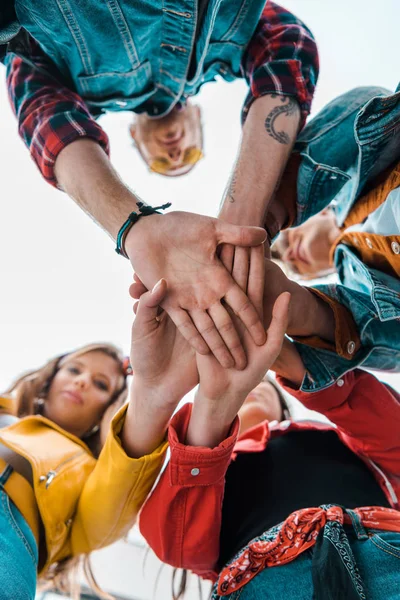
182,248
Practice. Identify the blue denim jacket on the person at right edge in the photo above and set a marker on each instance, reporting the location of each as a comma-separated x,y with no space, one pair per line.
348,143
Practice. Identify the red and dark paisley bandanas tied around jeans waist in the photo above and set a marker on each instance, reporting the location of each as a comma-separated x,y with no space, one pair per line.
333,565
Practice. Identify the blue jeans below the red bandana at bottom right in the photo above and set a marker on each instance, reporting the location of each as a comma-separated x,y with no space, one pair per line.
377,557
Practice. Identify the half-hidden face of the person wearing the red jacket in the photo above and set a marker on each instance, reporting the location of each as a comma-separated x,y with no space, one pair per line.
262,404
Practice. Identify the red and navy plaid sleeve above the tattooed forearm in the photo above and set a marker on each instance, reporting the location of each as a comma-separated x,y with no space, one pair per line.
281,58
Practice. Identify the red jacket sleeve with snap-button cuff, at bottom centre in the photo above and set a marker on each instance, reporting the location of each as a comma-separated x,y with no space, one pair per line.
181,520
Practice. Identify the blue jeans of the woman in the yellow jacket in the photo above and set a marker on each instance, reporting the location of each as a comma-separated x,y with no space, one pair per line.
18,550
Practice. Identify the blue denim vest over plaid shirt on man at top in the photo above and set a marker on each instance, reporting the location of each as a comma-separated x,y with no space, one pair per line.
121,57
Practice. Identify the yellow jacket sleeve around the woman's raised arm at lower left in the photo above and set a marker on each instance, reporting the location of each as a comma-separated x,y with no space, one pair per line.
114,492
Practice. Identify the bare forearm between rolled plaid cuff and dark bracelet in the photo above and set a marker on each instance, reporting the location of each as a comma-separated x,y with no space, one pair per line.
85,173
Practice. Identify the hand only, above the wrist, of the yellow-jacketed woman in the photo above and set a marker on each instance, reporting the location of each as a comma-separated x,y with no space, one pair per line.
160,357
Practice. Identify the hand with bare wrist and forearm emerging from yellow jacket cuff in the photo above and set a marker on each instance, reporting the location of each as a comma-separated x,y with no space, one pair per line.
164,370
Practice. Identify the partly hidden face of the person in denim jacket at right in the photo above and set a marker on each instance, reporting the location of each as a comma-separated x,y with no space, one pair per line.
306,249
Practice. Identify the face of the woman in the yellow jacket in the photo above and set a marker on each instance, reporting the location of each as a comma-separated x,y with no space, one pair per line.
81,391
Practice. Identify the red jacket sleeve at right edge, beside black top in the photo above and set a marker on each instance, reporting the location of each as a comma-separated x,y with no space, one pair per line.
366,410
